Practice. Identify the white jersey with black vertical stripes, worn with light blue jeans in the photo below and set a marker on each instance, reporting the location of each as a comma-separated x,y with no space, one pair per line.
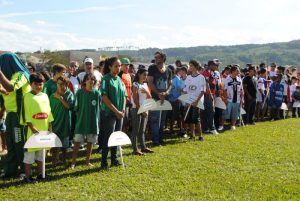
233,88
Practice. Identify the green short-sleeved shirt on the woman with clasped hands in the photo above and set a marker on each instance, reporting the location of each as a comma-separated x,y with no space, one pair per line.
115,90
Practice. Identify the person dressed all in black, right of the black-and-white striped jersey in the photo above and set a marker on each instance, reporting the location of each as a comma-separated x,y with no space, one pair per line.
250,91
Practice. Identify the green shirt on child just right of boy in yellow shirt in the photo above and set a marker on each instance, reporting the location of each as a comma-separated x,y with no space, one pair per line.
61,125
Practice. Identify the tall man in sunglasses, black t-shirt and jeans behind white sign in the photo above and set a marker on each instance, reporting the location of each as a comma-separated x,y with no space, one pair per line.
160,83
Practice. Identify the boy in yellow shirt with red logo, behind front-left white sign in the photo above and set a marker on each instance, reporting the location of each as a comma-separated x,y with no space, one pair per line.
37,116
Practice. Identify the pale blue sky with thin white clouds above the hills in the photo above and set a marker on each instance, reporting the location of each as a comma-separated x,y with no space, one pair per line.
30,25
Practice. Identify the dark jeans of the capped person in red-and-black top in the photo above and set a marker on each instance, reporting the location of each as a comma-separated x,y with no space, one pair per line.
209,113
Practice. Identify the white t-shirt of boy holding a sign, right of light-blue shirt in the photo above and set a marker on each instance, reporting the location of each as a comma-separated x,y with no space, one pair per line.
194,85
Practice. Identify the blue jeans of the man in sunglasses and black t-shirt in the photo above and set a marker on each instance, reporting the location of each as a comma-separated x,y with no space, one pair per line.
156,131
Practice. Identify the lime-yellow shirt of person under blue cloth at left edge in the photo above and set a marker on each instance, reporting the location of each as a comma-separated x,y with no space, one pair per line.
18,80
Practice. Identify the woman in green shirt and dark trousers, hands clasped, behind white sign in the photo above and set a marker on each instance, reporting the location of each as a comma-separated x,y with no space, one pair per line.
112,109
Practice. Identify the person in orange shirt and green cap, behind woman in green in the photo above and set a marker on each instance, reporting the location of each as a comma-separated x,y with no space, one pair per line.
126,79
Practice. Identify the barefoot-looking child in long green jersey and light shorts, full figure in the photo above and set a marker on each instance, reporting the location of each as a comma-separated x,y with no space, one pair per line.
87,105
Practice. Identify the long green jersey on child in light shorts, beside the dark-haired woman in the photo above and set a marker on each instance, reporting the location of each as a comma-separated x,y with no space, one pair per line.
87,105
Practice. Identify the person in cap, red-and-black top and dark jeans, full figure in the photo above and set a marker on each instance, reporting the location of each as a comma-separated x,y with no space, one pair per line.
211,89
